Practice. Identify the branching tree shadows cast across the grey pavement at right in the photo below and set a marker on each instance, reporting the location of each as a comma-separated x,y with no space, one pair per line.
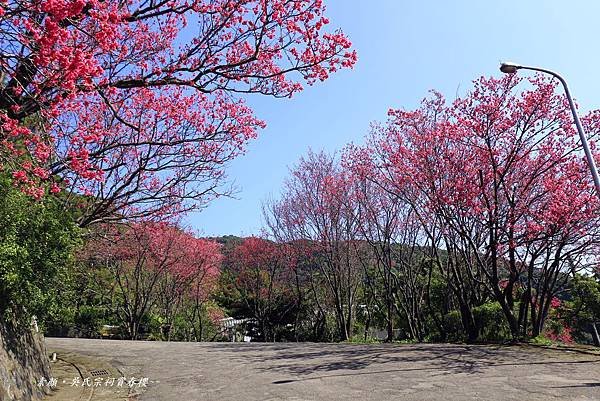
439,358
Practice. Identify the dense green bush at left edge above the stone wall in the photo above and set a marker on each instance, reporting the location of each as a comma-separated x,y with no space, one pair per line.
37,240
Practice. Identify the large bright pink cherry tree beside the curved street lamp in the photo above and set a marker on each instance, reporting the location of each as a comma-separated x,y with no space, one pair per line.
500,172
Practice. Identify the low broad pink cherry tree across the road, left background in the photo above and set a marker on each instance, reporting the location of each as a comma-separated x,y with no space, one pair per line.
154,264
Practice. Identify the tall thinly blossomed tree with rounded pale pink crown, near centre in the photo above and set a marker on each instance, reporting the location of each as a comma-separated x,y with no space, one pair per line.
316,209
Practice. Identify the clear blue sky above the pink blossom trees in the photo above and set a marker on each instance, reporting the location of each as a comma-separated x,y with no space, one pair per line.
405,48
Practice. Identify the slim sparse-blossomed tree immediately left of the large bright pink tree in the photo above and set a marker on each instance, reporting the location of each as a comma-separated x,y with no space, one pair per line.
387,224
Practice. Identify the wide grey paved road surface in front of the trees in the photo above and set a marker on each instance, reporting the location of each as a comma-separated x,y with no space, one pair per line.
307,371
